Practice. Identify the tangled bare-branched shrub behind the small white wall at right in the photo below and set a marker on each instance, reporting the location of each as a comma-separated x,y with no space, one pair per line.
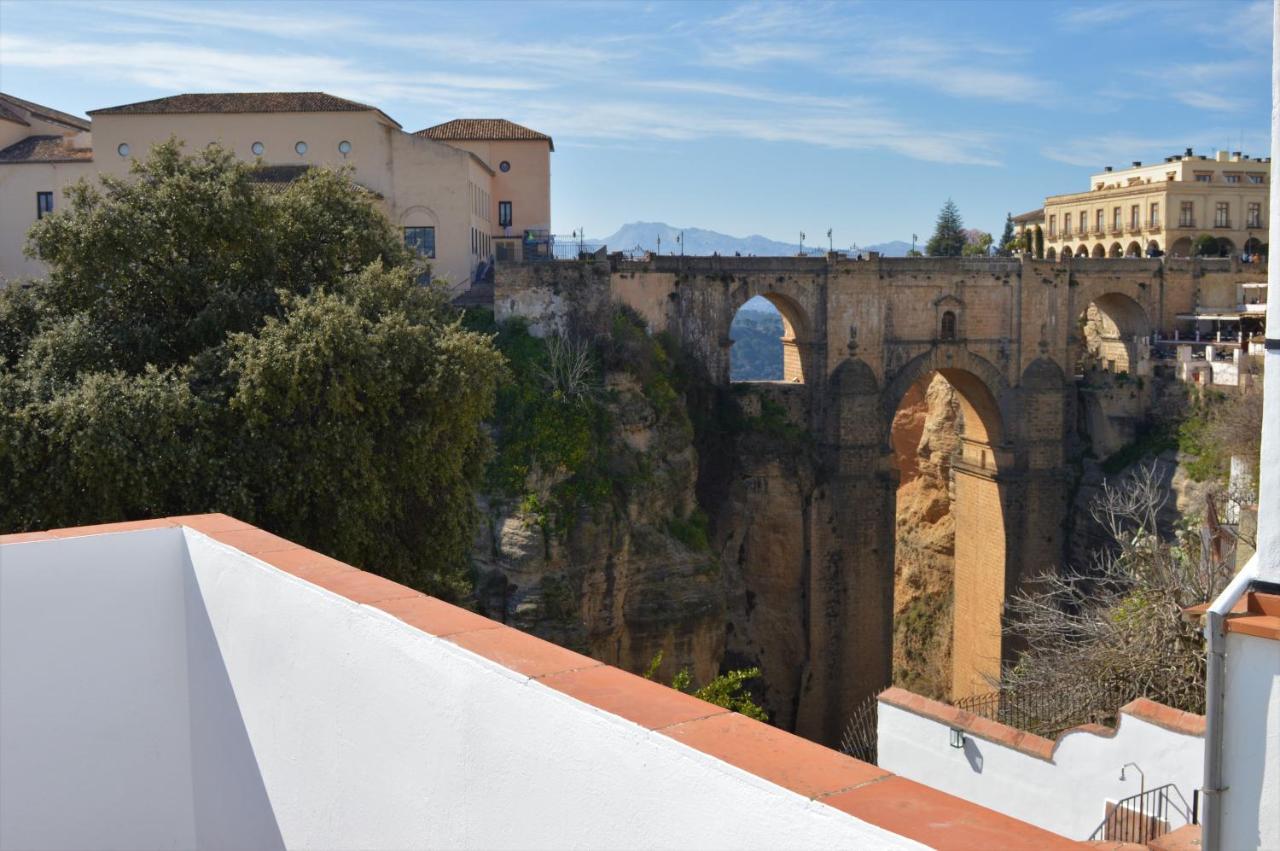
1114,632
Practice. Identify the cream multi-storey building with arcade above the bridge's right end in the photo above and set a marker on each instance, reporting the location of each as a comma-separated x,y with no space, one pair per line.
1164,208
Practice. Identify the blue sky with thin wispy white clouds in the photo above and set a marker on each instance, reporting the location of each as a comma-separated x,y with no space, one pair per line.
743,118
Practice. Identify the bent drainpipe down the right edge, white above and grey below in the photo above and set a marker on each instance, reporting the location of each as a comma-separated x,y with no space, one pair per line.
1265,565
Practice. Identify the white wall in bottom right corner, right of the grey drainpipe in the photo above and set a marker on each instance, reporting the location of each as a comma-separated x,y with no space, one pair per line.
1251,744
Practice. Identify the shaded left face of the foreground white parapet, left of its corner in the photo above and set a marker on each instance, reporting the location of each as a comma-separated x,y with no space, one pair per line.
94,731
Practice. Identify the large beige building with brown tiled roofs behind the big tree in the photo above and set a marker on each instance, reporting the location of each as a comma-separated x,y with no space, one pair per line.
451,189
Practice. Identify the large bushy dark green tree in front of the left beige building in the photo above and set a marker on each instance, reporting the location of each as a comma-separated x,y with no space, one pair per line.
203,344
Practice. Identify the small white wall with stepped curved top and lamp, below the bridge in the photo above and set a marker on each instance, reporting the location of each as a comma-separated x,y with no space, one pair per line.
1068,795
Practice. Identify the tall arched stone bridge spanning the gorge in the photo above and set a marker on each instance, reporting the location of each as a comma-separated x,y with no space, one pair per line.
1004,332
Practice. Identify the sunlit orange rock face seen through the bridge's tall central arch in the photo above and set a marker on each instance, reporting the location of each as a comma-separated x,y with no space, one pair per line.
926,434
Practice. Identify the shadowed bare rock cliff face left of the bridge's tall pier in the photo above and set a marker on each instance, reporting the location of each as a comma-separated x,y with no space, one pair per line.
621,580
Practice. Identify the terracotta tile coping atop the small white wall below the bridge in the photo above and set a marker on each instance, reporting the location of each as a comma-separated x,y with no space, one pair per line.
1031,744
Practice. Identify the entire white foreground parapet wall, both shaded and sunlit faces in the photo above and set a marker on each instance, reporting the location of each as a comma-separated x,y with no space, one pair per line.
163,690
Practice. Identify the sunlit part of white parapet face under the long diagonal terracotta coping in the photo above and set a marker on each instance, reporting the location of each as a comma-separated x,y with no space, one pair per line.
372,734
